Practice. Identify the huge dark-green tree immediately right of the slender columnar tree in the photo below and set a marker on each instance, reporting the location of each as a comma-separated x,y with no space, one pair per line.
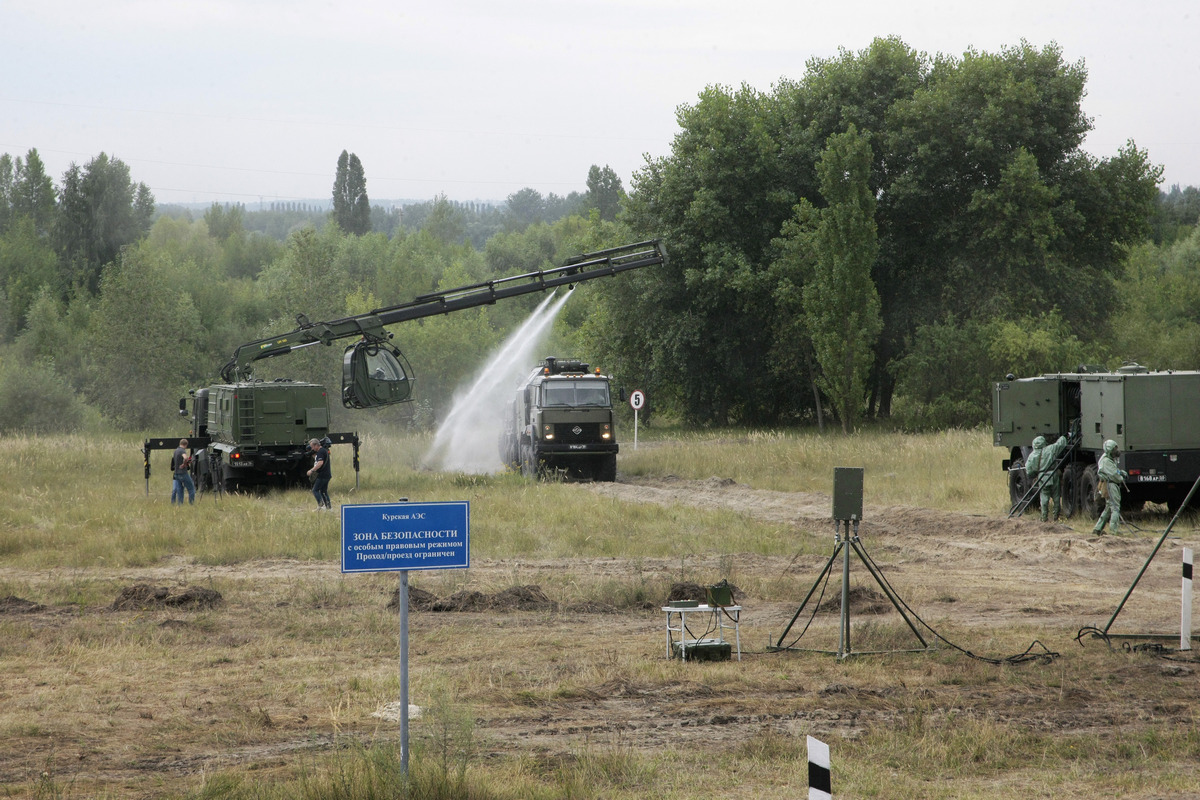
992,209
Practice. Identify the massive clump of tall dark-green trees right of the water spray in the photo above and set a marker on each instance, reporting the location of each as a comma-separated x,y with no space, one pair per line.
999,244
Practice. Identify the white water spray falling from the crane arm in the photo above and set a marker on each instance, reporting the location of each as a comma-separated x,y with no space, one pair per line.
469,441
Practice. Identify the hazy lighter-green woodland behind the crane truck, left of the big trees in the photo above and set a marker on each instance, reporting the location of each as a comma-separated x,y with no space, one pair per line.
110,312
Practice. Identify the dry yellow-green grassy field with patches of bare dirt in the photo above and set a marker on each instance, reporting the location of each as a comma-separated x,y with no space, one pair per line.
274,691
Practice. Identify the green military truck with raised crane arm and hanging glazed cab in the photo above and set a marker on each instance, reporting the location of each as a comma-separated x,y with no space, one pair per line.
248,432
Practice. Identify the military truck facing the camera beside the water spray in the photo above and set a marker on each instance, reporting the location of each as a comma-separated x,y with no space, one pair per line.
562,420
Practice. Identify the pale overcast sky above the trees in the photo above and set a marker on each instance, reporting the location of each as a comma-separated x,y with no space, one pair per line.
254,100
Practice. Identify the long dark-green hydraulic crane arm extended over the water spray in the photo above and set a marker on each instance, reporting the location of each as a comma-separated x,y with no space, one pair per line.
371,326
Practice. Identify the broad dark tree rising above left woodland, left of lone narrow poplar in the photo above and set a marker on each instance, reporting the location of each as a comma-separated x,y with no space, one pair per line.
100,212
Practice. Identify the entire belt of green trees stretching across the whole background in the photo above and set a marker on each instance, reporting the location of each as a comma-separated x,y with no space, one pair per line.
879,239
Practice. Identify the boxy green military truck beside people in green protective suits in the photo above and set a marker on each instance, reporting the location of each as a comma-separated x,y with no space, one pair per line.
1154,417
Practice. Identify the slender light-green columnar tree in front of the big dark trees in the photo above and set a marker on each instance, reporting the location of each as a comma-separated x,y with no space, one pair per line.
841,302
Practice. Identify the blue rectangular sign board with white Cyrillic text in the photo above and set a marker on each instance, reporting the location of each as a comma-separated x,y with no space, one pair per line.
393,537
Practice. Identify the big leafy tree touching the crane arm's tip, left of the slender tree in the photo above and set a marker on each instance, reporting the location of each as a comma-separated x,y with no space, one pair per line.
699,333
